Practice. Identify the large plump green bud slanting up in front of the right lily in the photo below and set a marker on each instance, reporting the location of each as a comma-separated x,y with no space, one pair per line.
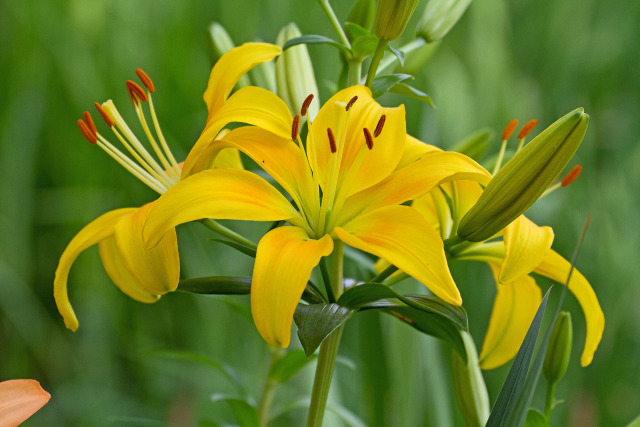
524,178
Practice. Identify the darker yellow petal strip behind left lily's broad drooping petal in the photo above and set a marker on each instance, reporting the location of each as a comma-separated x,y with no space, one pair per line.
120,274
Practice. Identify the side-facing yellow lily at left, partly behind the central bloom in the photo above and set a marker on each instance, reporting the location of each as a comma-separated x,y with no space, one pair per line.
141,273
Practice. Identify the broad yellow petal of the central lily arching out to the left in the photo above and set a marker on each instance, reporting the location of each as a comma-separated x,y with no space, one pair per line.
217,194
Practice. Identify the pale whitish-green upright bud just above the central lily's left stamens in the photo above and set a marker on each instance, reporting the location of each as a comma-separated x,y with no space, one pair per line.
295,79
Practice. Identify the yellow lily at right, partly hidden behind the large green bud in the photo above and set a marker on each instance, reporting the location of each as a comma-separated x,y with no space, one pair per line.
524,248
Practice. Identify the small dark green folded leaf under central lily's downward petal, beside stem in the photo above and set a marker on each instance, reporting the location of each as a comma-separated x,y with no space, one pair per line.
317,321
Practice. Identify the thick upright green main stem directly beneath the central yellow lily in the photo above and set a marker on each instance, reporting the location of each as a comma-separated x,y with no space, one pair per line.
328,349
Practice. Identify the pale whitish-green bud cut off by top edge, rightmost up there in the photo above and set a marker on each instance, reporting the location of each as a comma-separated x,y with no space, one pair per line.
439,17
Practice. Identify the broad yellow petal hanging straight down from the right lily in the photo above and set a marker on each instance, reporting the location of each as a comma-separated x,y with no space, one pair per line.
513,310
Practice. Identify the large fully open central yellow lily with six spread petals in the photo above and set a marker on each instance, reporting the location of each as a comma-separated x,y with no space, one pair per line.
344,185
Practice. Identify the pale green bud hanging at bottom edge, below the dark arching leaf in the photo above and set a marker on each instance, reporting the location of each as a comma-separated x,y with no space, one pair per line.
469,386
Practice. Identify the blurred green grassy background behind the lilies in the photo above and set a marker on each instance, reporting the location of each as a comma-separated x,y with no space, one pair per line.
504,60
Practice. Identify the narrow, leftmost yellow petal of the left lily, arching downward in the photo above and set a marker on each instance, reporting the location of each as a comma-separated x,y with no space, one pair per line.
97,230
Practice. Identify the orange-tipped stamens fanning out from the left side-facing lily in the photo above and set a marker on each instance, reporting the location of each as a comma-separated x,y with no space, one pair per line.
159,176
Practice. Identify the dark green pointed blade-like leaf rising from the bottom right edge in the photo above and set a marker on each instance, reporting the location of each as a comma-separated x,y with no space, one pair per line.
505,406
